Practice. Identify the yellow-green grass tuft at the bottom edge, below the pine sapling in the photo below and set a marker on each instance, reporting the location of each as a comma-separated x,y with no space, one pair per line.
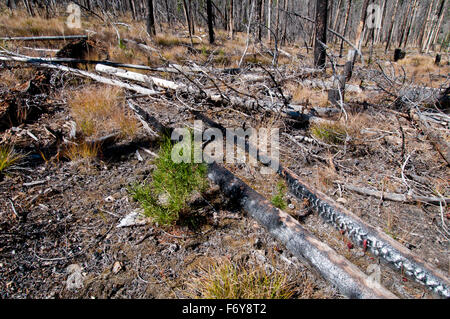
228,281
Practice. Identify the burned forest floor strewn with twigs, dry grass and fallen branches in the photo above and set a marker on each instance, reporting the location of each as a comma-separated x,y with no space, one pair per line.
76,149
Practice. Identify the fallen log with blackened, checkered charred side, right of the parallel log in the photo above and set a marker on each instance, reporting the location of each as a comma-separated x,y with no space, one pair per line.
361,233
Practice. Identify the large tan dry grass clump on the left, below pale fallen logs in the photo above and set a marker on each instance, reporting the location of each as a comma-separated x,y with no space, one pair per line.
100,110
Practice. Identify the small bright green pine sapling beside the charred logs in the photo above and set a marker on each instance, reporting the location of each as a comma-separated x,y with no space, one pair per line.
171,186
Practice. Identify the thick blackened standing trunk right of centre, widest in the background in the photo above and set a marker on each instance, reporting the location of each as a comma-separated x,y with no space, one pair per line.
321,33
